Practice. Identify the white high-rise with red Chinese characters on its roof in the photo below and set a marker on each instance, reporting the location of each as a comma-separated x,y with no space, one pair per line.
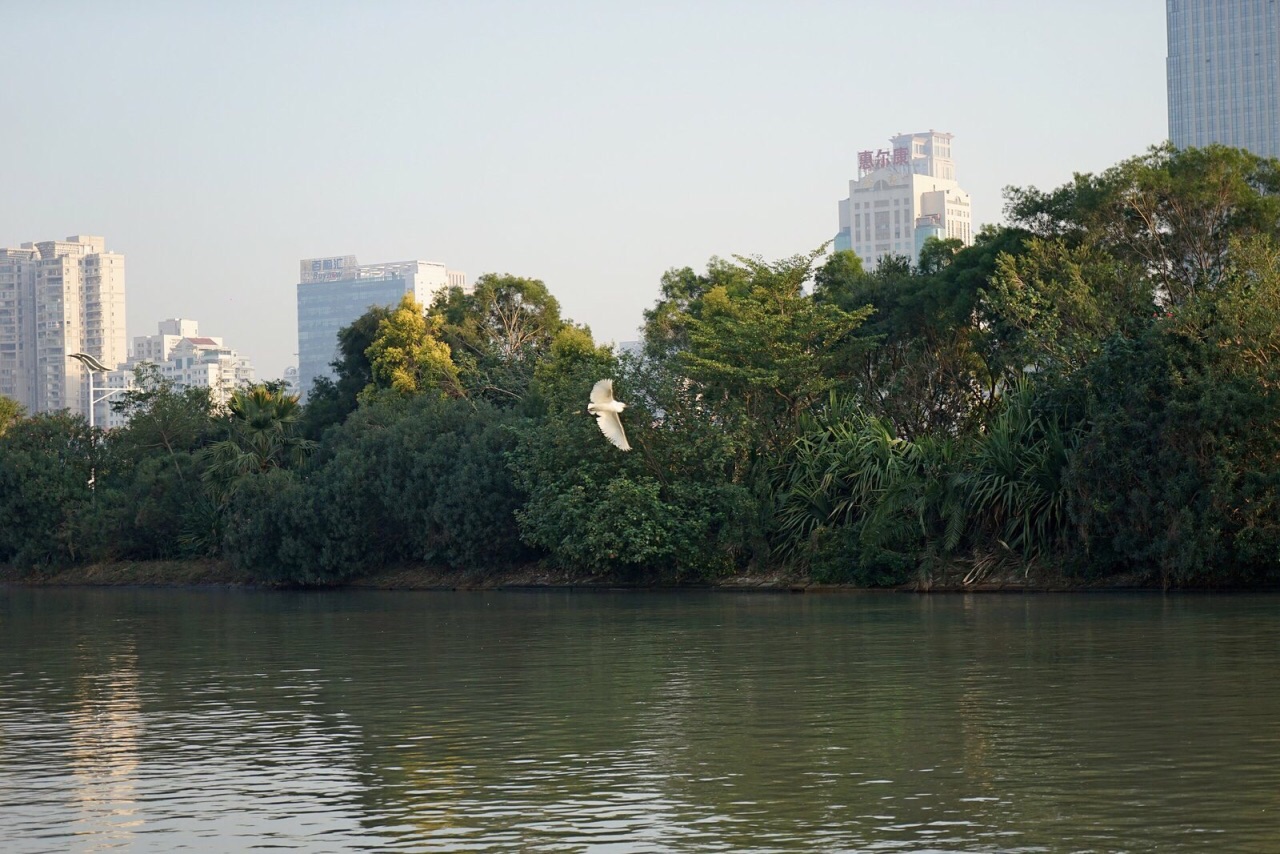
903,197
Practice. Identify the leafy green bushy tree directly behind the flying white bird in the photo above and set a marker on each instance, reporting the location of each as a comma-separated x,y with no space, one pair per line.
665,508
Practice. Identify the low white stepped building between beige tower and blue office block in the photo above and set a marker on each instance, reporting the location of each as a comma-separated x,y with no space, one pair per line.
186,359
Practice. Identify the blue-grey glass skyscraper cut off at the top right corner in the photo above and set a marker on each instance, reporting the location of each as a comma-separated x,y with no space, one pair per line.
1224,74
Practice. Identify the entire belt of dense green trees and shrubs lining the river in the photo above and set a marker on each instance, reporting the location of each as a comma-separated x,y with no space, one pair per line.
1096,389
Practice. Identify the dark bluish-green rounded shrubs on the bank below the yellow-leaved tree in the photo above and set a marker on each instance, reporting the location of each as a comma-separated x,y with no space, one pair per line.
405,479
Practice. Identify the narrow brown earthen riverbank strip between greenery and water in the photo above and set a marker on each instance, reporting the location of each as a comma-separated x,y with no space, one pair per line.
426,578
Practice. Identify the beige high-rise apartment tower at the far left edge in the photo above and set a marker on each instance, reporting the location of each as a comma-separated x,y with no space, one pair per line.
57,299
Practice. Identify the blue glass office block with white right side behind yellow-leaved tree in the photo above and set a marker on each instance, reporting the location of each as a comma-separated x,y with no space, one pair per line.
336,291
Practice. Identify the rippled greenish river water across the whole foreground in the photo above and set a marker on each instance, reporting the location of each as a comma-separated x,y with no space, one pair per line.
214,721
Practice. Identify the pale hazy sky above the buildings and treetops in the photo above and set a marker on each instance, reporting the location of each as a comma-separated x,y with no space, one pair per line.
591,145
